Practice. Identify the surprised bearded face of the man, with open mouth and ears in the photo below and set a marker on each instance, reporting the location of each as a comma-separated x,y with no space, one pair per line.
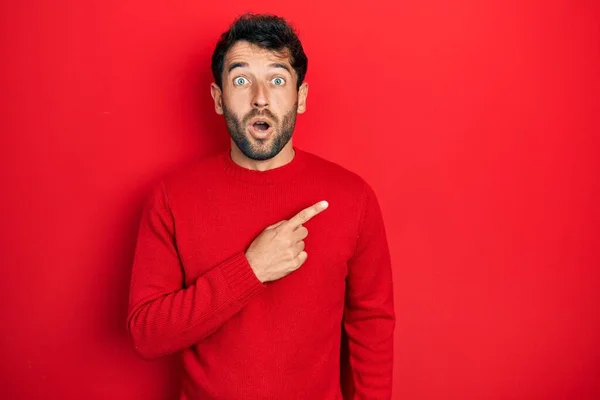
259,100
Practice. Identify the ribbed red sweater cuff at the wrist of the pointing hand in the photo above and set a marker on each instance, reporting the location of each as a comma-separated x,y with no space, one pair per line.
240,277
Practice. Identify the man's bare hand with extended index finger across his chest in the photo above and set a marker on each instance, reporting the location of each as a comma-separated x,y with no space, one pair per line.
279,249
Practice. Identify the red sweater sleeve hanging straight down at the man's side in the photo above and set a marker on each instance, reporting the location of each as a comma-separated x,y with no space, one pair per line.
369,317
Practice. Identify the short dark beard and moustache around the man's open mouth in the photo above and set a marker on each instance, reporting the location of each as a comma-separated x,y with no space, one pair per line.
257,149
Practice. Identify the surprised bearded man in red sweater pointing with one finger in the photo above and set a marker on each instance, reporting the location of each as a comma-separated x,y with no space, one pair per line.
252,262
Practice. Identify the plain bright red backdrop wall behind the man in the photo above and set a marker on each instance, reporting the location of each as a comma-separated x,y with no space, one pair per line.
476,122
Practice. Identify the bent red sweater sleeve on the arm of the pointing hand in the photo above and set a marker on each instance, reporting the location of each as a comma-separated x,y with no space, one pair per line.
164,316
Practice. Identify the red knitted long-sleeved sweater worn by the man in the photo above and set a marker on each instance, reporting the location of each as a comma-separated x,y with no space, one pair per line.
194,292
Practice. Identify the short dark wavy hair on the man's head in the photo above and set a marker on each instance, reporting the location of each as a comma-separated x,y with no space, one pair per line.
266,31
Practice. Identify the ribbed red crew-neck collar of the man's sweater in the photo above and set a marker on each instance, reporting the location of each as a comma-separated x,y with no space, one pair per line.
282,173
